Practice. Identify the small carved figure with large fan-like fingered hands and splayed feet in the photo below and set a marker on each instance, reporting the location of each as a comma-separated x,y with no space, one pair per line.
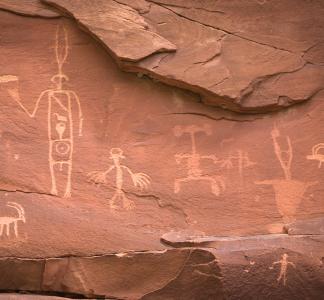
140,180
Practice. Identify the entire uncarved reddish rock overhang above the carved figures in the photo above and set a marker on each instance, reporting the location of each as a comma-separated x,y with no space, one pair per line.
248,56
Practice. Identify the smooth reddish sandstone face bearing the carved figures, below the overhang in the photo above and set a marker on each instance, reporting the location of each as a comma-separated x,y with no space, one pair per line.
147,159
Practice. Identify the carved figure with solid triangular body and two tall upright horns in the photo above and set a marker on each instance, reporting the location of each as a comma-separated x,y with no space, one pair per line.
288,192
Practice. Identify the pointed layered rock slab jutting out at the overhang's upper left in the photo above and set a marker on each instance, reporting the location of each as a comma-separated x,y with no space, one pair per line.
125,33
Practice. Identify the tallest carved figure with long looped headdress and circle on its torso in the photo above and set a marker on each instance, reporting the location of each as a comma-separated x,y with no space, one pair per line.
60,119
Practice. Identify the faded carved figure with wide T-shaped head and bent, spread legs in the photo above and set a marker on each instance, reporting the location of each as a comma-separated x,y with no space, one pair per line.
193,161
